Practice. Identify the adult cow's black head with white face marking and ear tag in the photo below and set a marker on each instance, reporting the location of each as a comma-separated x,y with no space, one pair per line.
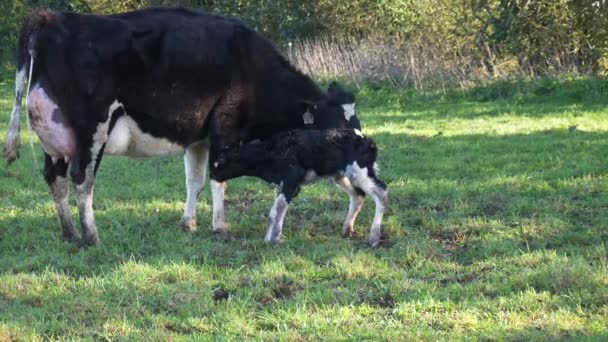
336,110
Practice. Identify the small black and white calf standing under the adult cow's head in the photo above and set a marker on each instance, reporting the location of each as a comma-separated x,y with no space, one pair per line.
293,158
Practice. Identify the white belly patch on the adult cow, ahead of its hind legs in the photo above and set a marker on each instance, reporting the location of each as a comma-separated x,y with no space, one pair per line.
128,139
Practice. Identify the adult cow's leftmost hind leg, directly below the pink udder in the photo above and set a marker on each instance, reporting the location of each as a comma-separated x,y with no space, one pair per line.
56,177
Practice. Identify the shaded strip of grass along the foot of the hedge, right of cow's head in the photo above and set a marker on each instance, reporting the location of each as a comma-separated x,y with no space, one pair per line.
530,99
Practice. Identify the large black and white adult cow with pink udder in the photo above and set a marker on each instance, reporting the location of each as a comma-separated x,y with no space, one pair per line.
153,82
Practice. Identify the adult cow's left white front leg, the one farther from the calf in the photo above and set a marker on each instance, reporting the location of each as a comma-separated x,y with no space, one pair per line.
195,164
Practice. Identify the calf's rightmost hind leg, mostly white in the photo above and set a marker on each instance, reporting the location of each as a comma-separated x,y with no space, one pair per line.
365,179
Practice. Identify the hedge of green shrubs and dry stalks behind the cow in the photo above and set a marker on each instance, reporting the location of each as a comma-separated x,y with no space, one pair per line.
405,42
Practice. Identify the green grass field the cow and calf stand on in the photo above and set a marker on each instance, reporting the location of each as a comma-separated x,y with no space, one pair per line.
497,230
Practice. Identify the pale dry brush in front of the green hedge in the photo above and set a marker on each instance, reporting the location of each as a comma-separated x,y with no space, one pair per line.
418,63
